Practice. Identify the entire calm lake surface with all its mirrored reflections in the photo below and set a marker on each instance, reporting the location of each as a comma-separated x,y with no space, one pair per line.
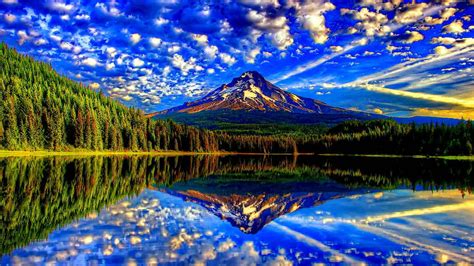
236,210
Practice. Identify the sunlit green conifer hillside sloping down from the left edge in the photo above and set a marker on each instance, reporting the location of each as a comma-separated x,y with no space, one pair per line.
42,110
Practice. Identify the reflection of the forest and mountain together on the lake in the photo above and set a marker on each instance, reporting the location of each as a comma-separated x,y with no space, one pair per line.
41,194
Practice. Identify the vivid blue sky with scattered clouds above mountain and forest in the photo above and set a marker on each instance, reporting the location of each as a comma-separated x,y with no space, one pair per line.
393,57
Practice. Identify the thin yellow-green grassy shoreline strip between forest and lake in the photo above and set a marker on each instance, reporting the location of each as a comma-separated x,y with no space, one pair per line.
7,153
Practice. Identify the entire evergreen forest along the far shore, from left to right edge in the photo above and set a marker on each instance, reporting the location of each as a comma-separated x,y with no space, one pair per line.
42,110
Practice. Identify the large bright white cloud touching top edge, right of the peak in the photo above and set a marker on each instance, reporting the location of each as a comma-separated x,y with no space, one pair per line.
311,16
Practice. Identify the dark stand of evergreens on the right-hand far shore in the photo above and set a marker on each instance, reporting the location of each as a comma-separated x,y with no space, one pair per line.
390,137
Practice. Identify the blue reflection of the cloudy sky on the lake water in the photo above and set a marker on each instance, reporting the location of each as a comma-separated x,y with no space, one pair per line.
398,226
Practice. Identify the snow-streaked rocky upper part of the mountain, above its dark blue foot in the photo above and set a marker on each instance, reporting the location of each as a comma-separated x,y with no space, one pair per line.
252,92
